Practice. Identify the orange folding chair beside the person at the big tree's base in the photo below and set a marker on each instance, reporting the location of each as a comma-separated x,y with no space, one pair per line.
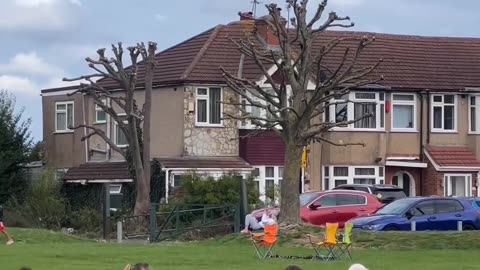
265,242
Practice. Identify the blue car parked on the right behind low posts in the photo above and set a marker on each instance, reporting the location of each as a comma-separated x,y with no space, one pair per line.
430,214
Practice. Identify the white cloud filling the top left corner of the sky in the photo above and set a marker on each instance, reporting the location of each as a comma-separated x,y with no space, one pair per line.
37,15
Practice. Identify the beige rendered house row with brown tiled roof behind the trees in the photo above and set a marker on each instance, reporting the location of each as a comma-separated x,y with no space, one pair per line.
424,137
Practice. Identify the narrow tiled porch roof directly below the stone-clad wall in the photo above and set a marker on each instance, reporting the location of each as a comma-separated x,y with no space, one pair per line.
204,163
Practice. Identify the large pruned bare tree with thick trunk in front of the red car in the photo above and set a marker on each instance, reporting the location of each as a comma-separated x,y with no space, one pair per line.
296,99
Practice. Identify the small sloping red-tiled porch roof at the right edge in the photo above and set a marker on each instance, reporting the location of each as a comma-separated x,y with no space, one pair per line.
452,156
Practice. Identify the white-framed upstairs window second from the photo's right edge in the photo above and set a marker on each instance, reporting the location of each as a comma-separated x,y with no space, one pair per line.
444,113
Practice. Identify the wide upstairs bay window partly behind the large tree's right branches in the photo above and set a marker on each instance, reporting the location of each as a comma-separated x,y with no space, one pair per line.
356,106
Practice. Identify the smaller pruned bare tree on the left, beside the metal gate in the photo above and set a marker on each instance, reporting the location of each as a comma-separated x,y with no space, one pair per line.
121,101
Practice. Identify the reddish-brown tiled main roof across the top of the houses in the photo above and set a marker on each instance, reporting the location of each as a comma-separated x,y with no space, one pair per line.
409,62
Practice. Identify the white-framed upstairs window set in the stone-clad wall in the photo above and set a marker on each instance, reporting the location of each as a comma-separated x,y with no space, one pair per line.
208,106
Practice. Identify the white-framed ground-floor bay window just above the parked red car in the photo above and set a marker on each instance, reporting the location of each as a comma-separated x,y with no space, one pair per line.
335,176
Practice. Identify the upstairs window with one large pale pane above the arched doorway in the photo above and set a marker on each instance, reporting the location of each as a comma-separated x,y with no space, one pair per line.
403,112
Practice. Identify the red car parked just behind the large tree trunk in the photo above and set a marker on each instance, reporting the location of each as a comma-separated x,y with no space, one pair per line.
318,208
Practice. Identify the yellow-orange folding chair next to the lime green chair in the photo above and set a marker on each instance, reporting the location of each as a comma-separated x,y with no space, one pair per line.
328,244
